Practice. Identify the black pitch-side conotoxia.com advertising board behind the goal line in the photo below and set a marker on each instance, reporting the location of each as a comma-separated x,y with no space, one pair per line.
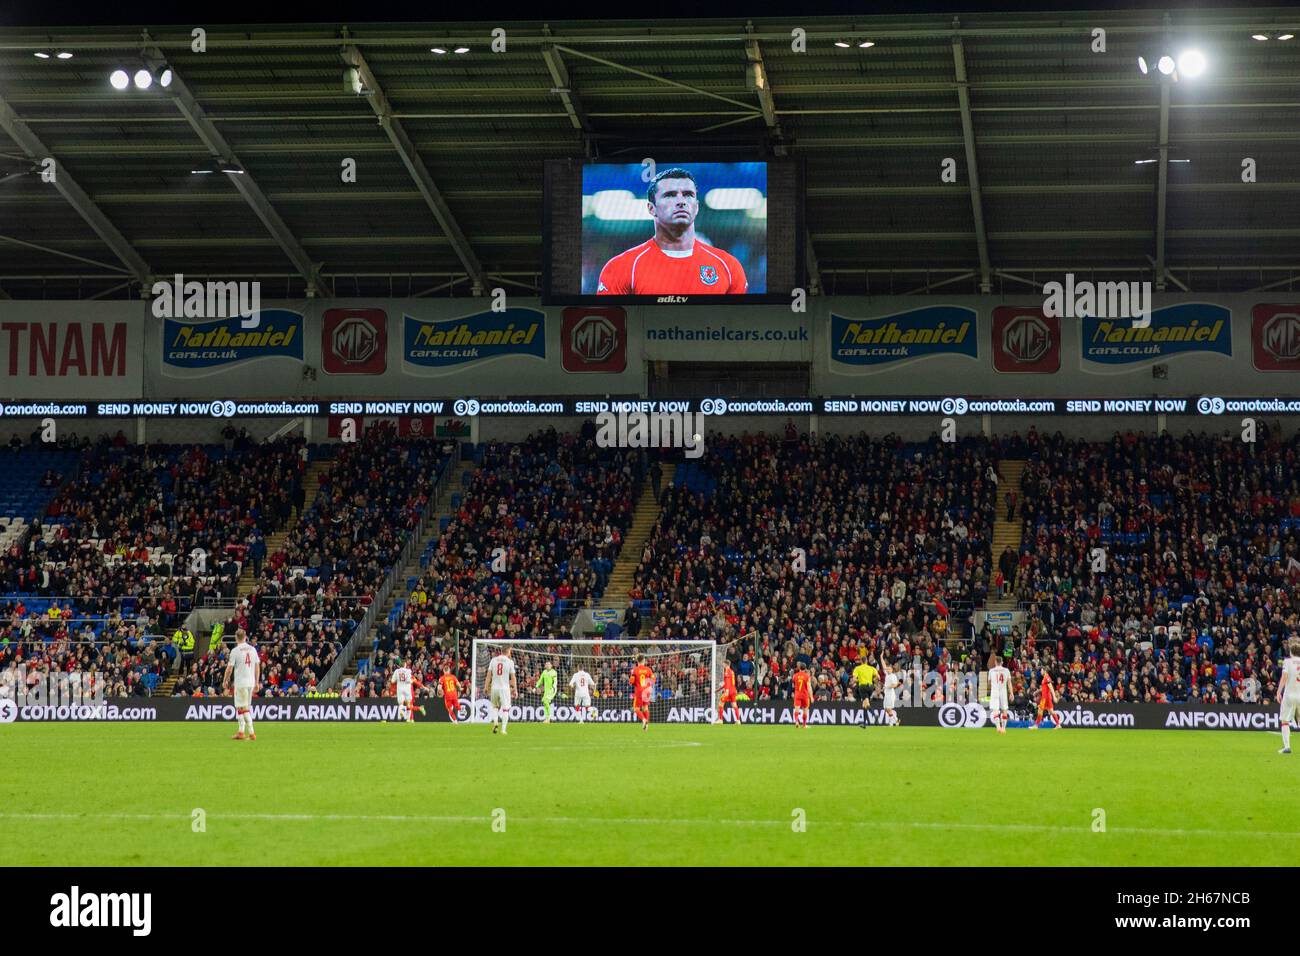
950,716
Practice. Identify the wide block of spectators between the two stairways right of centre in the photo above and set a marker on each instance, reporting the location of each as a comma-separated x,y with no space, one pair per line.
824,550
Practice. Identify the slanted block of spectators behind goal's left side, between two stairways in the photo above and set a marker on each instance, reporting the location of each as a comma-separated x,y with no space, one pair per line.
552,512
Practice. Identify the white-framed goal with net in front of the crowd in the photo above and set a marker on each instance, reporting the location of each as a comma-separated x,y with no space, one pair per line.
687,676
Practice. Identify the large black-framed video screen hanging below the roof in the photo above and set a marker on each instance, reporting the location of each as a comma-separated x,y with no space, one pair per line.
674,232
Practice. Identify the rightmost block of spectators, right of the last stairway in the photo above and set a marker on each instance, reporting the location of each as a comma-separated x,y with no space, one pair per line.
1158,568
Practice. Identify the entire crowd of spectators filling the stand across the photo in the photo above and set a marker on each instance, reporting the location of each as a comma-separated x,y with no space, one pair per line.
1152,568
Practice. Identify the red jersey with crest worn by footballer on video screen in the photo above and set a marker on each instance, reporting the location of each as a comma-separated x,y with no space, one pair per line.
647,270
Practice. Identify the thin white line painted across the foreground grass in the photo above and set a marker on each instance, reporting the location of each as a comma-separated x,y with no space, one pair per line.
658,821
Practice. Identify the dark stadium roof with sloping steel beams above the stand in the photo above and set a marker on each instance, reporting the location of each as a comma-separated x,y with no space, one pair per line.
449,148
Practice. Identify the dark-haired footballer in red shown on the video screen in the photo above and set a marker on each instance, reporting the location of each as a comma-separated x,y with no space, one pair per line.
673,262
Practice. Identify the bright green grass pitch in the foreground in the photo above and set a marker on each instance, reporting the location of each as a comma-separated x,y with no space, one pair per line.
395,794
